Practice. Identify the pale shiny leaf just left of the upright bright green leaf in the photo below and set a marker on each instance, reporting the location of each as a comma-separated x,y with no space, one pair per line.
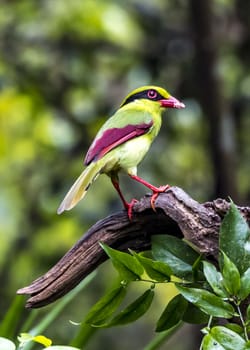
214,279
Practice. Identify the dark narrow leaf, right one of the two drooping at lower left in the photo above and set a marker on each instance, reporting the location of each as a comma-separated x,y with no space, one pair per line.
133,311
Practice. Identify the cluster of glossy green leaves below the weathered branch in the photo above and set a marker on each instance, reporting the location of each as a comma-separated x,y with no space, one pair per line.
206,293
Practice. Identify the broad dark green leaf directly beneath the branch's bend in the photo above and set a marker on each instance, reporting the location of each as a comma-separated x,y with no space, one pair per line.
179,256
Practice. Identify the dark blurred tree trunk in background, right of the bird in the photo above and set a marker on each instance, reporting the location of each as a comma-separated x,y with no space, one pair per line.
215,108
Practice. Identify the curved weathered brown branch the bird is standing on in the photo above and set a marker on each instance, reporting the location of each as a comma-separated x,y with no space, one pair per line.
177,214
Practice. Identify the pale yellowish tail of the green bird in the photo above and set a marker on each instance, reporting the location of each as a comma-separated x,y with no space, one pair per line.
81,186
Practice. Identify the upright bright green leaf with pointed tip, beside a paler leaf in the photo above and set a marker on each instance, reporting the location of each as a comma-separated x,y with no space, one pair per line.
231,276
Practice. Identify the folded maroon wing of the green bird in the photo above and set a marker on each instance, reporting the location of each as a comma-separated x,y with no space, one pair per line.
112,138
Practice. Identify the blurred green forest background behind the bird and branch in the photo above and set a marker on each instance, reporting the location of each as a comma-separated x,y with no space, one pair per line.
65,66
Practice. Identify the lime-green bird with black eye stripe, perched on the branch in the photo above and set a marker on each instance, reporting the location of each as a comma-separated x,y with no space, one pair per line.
122,142
